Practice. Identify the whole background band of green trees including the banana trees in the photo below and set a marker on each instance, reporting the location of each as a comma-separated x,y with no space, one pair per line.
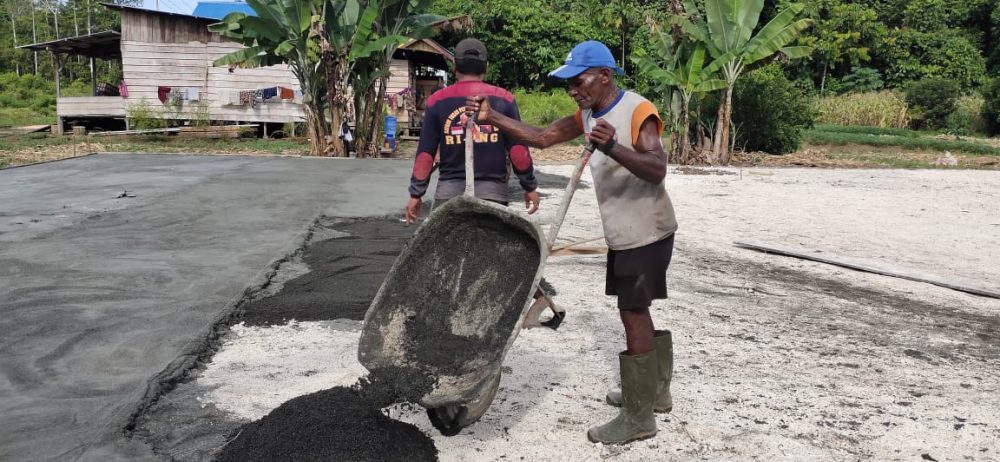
675,51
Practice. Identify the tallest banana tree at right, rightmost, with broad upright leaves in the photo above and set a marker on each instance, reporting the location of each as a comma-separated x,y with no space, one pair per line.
727,33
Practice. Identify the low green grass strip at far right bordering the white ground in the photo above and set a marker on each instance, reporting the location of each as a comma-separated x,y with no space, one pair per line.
902,138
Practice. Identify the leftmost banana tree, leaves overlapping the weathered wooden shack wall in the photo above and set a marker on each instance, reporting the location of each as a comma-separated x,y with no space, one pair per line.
280,33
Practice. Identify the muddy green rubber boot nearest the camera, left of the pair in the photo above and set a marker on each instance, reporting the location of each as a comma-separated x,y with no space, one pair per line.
635,420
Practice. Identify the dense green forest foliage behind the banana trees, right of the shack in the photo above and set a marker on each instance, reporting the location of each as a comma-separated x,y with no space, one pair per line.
856,44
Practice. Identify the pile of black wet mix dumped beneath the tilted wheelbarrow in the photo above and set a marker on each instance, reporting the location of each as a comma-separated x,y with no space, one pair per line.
339,424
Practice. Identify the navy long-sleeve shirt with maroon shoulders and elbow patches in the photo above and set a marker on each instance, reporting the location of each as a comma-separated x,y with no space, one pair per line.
443,132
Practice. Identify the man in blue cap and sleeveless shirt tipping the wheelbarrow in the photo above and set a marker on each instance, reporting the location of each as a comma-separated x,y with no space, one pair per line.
639,224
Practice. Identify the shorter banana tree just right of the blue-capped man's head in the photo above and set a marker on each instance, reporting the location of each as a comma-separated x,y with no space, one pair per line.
680,71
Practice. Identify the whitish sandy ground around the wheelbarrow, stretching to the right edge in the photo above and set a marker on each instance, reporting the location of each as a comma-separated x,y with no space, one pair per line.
776,358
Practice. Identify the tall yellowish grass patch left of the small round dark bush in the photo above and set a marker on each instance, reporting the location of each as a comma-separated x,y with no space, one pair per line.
883,109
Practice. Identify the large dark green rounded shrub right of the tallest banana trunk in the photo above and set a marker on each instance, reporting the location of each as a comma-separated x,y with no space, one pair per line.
769,112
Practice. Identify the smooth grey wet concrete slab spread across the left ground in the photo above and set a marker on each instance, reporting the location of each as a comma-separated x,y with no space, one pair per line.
103,299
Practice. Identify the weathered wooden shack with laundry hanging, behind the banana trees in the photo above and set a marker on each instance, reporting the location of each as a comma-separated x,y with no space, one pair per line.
161,50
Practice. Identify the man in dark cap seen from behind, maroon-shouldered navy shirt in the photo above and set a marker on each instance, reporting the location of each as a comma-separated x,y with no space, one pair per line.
444,130
